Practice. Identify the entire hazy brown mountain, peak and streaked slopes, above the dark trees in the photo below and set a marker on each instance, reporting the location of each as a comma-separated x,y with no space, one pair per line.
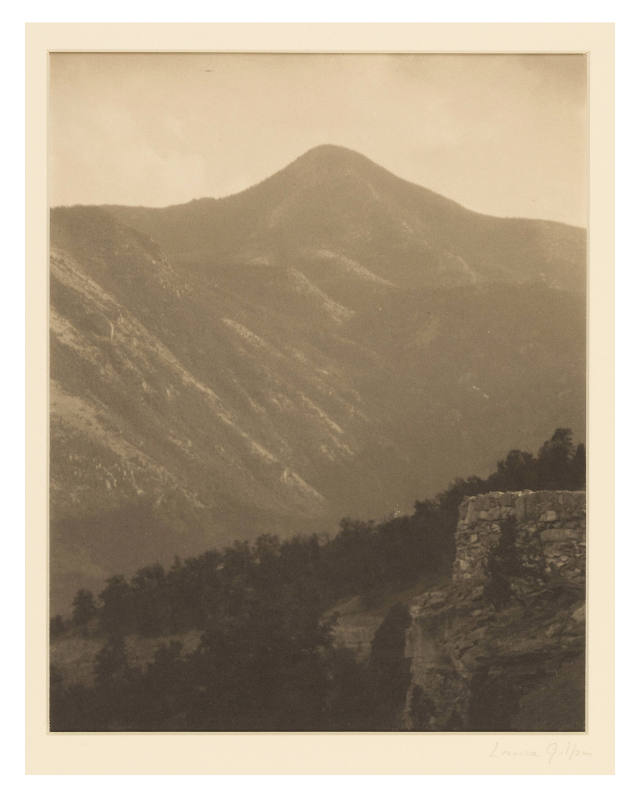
277,360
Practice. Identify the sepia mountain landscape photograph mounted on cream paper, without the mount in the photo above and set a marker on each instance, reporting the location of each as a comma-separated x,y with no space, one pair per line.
317,392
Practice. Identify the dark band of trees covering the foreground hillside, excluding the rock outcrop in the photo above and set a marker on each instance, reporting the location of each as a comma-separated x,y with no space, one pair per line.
266,658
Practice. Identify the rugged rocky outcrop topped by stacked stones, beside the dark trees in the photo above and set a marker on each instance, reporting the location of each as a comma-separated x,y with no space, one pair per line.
502,647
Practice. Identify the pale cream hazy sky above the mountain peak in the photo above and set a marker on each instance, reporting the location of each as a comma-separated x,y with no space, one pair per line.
505,135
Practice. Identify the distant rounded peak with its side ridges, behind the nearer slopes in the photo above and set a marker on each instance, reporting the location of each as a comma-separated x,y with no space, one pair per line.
333,203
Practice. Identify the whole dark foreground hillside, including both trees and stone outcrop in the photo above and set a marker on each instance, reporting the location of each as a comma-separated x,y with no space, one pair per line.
479,601
